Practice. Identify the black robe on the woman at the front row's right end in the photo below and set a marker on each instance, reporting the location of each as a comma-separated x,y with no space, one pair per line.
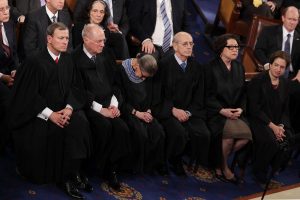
265,105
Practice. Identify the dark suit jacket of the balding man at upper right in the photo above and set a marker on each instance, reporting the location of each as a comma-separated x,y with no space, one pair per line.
270,40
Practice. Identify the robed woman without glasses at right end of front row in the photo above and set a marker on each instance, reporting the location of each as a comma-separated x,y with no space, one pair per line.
268,97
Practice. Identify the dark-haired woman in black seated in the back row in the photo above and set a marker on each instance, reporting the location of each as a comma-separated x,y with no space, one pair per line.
97,12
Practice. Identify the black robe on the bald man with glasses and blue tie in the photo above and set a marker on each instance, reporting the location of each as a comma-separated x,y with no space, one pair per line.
184,90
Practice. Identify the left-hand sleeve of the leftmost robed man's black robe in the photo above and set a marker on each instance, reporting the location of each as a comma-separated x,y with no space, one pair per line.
26,100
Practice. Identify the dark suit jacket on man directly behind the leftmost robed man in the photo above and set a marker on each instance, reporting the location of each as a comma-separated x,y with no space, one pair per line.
35,28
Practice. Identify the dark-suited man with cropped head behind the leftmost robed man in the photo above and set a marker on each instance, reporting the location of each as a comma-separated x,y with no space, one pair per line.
36,24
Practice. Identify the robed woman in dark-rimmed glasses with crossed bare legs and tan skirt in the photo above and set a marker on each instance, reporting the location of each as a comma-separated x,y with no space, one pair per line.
226,102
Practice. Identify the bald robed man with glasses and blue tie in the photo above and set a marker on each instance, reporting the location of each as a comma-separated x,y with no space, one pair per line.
183,110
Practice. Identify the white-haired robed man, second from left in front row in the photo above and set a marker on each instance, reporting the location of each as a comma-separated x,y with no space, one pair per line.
110,133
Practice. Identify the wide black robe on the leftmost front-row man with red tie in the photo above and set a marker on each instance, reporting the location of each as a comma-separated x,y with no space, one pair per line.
41,146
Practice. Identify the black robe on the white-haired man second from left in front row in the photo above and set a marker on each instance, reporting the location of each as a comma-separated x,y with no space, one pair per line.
111,136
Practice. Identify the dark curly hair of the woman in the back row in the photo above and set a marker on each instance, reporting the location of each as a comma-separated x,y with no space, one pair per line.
85,15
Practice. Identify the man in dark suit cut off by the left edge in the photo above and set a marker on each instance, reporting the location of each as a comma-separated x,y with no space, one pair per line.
8,63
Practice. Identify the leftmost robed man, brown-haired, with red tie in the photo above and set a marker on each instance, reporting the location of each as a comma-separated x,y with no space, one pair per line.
50,132
